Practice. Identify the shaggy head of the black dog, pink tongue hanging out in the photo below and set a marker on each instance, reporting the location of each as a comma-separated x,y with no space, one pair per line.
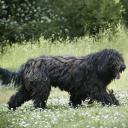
110,64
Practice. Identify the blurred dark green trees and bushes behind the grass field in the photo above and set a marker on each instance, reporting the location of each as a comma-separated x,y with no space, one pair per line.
24,20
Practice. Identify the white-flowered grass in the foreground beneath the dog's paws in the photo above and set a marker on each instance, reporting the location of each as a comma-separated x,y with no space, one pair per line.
60,115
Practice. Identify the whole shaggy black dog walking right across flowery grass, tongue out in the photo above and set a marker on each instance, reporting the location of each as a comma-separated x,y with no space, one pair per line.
83,77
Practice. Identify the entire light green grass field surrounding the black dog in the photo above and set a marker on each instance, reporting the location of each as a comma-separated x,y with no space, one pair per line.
59,114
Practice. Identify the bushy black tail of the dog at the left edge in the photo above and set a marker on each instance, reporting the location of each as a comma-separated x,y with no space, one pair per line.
7,77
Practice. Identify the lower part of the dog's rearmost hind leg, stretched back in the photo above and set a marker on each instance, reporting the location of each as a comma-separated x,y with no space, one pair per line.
19,98
